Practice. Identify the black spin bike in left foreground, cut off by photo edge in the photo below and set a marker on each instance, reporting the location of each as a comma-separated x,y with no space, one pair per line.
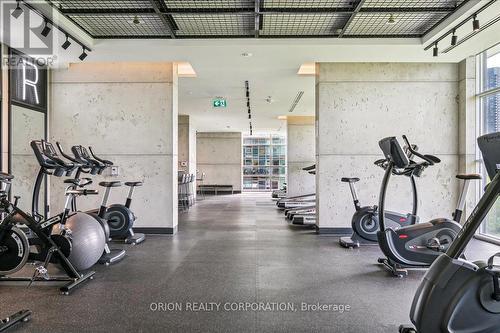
15,247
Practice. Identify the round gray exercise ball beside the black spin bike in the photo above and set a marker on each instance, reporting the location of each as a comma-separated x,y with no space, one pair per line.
87,238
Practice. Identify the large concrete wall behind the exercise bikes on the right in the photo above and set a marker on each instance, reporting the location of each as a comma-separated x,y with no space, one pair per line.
360,103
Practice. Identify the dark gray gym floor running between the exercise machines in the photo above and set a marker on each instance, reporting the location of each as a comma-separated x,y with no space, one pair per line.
229,250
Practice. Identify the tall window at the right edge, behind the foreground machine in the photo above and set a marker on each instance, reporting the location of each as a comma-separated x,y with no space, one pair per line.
489,108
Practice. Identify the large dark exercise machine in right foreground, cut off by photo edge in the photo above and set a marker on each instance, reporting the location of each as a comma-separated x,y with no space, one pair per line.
457,295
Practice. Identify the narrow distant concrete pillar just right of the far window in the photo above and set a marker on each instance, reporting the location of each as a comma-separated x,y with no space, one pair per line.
301,153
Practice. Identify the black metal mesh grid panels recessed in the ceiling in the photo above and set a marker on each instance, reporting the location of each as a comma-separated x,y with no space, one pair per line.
257,18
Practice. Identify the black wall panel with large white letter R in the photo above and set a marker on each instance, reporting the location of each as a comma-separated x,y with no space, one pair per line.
28,82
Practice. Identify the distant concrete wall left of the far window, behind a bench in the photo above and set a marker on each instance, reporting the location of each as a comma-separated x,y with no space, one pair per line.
218,155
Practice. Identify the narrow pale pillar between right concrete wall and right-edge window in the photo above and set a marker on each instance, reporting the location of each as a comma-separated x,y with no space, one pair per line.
467,128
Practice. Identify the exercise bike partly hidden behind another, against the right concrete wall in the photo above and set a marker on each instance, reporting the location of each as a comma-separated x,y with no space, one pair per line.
365,223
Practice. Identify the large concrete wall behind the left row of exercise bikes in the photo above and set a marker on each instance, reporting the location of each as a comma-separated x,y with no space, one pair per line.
128,113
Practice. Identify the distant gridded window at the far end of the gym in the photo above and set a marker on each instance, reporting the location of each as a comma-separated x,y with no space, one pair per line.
264,163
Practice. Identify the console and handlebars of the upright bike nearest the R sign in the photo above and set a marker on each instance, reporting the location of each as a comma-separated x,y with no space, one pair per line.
48,159
